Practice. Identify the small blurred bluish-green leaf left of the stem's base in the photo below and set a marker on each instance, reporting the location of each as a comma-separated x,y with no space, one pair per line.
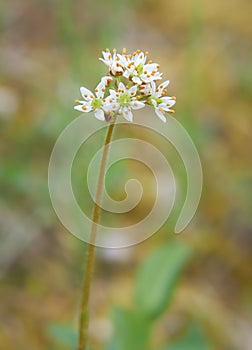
64,335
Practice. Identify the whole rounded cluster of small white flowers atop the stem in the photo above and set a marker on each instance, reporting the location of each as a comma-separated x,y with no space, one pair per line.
131,84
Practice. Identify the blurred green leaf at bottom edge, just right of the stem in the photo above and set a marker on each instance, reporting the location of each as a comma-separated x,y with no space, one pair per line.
131,331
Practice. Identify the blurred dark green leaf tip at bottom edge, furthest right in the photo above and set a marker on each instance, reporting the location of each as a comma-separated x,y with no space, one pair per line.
193,339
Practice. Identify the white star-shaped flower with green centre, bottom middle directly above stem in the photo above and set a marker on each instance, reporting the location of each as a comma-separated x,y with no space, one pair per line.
124,100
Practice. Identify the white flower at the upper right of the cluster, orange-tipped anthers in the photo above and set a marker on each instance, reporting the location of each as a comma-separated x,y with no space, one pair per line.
139,71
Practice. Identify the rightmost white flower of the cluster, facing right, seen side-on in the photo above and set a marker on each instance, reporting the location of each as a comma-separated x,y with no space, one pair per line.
160,102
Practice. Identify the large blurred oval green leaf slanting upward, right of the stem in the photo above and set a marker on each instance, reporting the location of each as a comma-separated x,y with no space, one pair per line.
157,278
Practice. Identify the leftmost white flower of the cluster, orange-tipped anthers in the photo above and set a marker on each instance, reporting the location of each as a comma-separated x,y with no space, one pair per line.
92,102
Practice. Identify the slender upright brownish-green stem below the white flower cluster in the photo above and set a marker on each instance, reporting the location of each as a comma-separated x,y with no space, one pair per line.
84,317
